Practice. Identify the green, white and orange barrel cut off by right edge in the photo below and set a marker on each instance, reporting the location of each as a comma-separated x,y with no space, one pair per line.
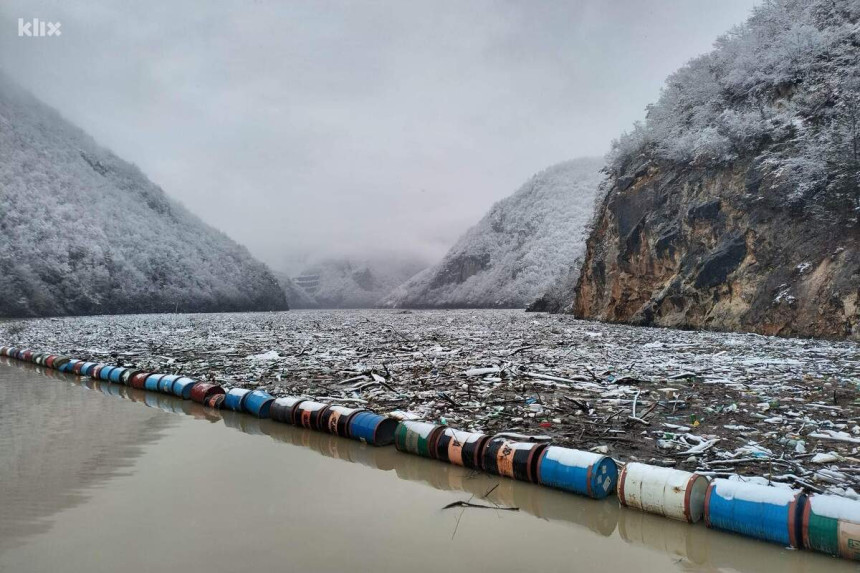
831,524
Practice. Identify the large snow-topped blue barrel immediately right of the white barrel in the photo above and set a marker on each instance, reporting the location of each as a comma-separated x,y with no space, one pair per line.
760,511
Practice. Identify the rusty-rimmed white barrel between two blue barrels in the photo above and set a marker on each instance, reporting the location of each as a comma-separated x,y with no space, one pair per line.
663,491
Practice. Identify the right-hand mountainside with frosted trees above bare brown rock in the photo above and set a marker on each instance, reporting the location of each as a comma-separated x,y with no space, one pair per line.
735,205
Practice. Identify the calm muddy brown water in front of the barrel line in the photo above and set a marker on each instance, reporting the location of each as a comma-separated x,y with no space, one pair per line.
93,480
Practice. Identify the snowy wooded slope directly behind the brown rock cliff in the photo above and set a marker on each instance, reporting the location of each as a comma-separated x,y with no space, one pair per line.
521,247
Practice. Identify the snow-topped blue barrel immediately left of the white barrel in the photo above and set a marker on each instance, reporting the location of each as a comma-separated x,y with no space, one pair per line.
581,472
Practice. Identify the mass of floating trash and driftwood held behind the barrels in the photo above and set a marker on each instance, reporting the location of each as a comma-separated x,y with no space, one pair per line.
718,403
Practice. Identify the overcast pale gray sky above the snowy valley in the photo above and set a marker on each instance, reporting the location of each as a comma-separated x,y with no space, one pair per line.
310,128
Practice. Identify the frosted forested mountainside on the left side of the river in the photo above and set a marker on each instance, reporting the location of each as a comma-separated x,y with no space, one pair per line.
83,232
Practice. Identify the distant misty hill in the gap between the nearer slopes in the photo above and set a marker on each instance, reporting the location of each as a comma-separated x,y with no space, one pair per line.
346,282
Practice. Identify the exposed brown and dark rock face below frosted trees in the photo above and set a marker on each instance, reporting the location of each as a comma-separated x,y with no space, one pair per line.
715,248
